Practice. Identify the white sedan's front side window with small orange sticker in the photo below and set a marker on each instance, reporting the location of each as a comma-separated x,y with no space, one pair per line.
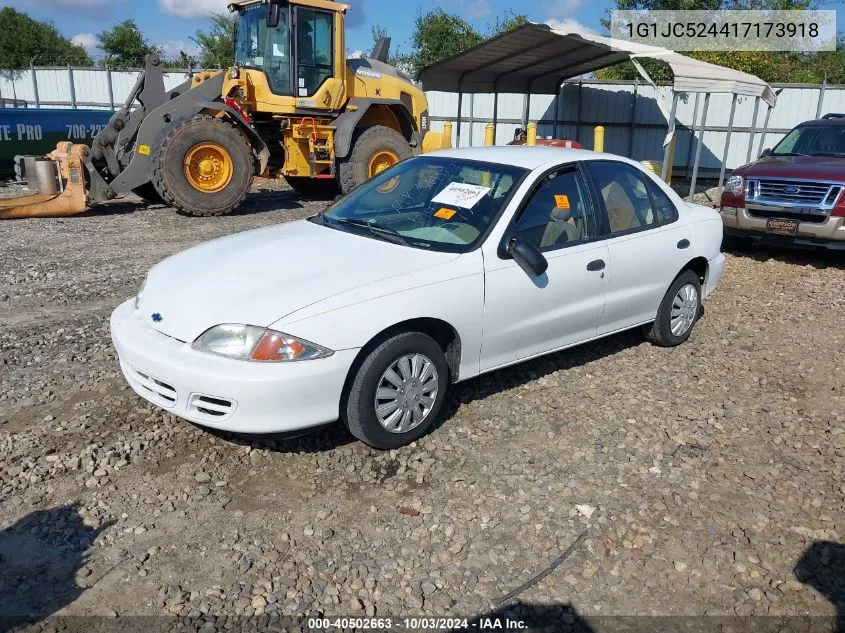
559,212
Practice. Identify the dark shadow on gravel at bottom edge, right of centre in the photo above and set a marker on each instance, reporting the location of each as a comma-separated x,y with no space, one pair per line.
524,616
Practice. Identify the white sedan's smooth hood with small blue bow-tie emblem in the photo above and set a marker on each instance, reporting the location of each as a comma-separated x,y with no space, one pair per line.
260,276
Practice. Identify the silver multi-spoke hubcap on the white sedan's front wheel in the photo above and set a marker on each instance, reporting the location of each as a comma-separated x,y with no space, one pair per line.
406,393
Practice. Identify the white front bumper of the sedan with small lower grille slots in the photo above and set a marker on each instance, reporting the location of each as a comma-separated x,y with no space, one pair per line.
222,393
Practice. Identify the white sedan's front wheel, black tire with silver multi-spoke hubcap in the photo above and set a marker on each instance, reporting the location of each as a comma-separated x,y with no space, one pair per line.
397,391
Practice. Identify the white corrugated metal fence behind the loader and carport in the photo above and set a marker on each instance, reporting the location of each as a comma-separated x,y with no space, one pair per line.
629,111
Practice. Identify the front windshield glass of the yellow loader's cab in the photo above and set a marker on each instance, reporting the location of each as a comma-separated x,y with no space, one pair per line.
262,48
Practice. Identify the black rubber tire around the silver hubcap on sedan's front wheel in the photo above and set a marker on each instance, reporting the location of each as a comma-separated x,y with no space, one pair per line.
360,413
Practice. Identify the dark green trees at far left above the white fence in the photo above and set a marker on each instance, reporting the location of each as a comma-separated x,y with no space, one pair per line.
24,40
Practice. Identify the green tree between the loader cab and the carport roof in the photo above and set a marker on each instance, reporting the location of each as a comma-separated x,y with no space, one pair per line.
438,35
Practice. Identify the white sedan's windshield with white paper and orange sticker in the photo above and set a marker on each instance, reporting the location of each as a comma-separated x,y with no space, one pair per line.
443,204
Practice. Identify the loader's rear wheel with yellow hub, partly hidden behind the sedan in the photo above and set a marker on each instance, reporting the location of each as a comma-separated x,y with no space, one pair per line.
376,148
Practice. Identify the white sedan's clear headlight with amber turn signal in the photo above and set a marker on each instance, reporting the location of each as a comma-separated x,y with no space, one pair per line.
248,342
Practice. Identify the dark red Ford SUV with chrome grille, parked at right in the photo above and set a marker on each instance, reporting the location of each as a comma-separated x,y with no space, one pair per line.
793,194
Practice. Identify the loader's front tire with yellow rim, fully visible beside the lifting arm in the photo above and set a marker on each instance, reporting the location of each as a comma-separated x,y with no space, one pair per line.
203,167
